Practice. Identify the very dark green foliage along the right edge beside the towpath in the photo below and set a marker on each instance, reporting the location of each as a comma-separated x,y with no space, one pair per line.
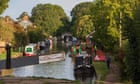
133,57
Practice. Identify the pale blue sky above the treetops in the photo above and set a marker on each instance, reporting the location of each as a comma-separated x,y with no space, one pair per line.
17,7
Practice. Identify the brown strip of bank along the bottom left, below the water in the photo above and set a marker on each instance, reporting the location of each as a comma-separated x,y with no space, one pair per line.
34,80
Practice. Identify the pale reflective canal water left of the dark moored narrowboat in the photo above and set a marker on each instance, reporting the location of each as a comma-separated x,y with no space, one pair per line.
59,70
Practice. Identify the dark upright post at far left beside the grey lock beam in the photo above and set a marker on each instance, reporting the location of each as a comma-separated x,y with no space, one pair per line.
8,56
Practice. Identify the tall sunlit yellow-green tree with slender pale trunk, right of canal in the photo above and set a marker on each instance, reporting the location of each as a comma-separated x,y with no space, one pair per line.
109,16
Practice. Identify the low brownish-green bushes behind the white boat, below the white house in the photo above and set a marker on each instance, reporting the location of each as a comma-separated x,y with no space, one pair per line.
32,35
